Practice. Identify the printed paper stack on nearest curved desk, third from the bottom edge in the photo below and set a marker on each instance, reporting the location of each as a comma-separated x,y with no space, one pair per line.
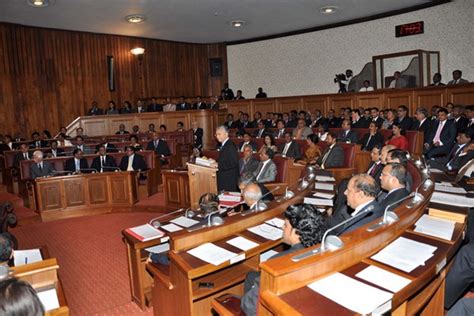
405,254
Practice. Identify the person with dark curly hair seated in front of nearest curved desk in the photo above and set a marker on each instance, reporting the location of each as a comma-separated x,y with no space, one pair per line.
304,227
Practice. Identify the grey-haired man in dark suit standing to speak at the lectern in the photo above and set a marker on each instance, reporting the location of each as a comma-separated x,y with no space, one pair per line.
227,163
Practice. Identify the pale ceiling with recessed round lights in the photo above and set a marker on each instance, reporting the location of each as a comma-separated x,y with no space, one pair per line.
196,21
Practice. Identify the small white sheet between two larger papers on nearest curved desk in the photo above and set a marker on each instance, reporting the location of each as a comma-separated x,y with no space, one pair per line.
383,278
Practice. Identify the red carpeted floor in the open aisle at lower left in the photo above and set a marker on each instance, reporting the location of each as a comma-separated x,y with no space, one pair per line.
92,260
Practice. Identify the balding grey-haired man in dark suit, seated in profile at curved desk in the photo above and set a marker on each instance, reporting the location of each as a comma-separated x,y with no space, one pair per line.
360,193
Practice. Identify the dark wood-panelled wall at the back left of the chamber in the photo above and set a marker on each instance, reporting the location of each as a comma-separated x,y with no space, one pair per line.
50,77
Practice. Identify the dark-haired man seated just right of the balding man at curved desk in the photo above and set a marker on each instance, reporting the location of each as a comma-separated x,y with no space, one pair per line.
393,181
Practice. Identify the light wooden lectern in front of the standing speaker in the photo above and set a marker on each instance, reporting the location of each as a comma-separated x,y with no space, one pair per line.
202,180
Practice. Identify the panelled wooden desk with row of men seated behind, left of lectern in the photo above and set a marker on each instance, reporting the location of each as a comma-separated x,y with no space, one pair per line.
84,194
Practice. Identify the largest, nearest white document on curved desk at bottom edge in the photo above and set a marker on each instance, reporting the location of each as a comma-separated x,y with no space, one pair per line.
352,294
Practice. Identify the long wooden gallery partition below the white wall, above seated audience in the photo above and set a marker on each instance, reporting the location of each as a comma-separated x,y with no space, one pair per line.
381,98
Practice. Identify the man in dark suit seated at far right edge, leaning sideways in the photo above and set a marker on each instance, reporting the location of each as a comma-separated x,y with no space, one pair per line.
457,157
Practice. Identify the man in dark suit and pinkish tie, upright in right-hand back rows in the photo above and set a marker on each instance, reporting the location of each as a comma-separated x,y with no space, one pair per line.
441,137
